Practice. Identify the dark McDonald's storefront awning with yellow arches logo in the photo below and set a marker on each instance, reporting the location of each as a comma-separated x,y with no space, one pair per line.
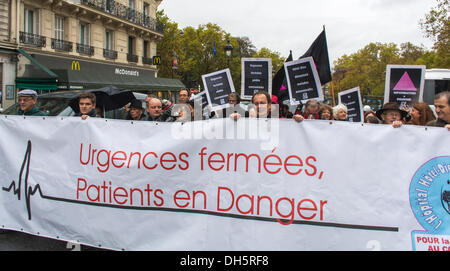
50,73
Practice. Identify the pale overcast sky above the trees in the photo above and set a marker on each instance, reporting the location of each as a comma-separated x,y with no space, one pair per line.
294,24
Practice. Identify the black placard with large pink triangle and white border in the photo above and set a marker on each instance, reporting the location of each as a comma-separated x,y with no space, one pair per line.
404,84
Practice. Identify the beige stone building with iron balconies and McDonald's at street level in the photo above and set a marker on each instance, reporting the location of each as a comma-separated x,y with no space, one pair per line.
85,44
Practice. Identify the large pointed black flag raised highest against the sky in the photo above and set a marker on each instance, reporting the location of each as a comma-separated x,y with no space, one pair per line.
319,52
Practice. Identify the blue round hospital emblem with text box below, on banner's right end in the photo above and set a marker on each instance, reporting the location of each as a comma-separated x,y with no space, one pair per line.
429,196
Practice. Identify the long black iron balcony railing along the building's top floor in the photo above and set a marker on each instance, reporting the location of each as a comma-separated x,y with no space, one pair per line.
119,10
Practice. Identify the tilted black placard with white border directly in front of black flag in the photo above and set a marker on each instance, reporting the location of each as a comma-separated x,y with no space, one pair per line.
303,81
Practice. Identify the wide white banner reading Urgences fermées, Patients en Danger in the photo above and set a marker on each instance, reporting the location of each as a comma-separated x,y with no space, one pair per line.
264,184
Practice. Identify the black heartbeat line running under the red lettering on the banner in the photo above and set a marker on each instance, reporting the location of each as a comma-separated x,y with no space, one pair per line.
30,190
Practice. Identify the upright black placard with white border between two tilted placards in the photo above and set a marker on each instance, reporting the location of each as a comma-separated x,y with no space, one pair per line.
256,76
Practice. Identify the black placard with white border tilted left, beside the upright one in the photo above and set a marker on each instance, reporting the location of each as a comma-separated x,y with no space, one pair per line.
218,86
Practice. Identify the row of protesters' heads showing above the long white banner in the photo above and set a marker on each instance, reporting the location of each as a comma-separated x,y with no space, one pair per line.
263,105
